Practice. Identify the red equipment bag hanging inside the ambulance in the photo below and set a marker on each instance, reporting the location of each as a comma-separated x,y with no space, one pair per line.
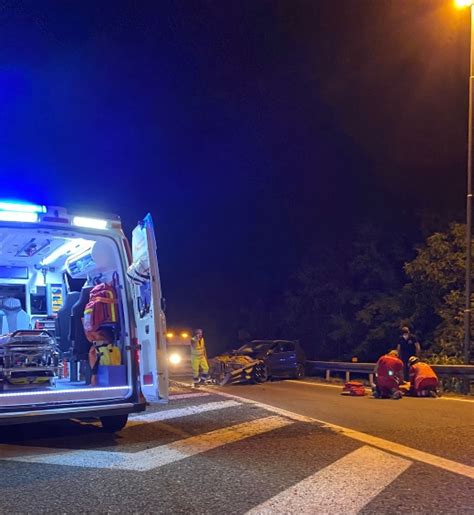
100,310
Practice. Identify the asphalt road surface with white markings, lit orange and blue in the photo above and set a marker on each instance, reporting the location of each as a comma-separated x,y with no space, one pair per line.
209,453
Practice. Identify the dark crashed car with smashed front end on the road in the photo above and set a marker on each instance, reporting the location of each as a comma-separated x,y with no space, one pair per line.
258,361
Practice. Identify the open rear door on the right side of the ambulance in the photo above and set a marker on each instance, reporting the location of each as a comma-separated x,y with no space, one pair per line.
149,316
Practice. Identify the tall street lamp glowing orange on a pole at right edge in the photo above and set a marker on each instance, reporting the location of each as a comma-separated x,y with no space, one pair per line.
467,310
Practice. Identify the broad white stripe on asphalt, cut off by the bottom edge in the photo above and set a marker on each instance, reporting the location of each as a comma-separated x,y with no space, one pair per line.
345,486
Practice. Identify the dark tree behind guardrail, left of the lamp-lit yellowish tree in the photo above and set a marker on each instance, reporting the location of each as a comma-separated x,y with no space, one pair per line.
348,300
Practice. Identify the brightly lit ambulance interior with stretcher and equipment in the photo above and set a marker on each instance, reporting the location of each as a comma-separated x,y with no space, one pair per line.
46,277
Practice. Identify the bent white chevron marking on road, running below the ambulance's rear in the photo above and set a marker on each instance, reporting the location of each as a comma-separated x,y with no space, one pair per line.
148,459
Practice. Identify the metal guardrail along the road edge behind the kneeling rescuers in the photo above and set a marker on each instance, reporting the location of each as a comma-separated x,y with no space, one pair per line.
462,371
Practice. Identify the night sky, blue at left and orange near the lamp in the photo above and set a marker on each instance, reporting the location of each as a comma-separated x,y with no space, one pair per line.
251,130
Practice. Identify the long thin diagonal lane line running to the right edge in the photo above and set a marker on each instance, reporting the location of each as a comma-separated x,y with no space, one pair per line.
386,445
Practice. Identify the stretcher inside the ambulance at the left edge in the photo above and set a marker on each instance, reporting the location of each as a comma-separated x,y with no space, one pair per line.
28,358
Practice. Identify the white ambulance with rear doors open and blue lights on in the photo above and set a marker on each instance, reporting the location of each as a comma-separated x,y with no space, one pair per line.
54,266
